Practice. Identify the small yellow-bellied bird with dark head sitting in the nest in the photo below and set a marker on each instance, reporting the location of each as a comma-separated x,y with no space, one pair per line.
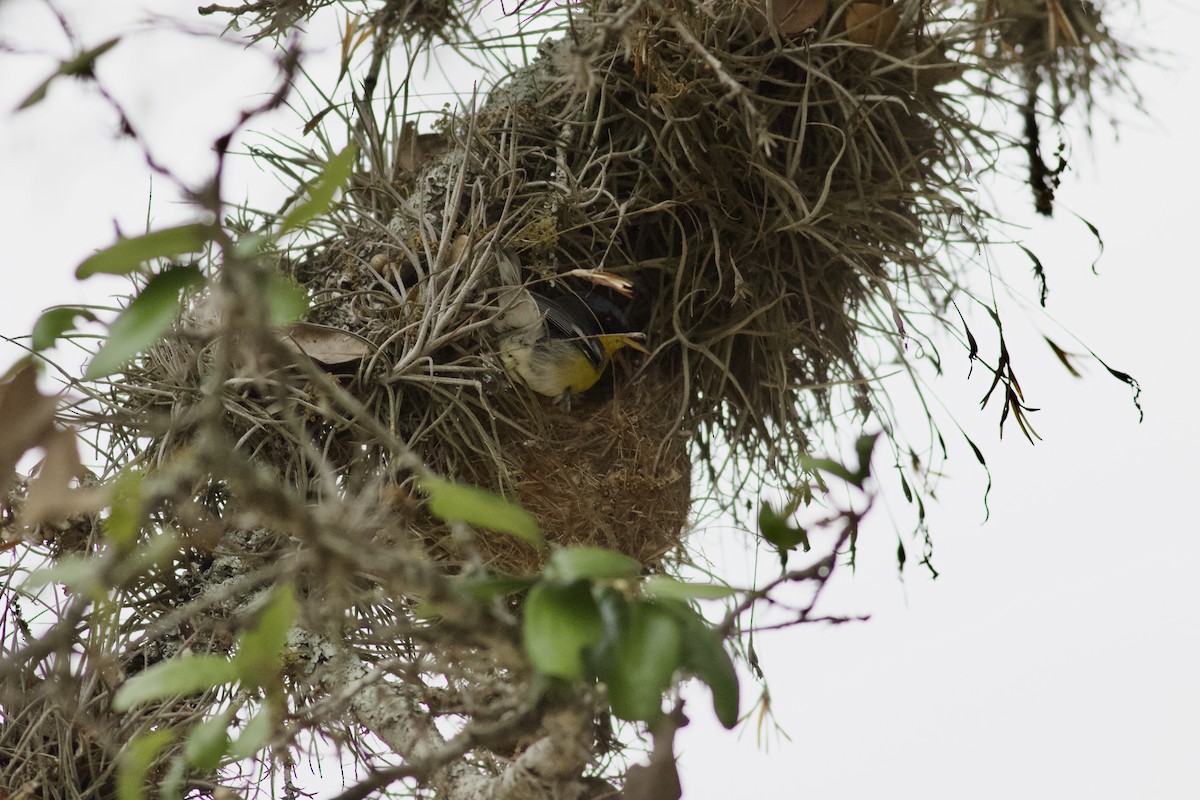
563,344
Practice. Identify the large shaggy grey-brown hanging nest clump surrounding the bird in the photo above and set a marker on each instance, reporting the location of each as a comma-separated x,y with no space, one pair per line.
791,206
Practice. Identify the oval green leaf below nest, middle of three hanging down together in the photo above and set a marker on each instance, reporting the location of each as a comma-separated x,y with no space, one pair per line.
643,660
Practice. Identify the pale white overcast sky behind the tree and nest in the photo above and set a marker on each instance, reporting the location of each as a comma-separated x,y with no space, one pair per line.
1057,657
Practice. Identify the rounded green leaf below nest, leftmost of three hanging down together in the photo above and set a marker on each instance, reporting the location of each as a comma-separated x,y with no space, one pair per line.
560,624
